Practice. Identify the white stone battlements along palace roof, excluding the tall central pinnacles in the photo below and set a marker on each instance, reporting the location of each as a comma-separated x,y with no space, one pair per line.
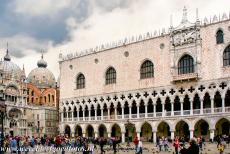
138,38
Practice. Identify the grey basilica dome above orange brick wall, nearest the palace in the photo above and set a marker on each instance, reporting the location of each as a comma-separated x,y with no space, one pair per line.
41,76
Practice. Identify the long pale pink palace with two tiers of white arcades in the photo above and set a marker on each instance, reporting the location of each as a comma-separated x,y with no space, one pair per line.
168,83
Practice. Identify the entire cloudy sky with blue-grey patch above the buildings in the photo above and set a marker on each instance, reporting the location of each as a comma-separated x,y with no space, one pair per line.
67,26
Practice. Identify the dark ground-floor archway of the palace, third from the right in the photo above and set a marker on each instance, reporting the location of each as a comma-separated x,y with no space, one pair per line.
182,130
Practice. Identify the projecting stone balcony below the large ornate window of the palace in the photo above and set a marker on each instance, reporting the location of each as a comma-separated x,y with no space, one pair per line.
179,77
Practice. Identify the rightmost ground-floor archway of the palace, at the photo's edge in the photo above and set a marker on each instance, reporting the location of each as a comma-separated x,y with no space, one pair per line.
223,127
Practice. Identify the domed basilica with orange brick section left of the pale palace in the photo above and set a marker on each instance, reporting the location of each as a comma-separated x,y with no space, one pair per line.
31,102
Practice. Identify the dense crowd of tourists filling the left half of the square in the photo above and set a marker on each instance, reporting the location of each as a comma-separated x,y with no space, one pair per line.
27,144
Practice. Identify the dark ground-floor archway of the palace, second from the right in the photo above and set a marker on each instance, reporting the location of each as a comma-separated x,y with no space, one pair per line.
201,129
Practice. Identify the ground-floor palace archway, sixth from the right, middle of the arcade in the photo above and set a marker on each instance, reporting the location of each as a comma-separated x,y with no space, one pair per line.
130,131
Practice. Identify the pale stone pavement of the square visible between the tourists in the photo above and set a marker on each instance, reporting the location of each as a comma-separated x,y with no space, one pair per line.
148,149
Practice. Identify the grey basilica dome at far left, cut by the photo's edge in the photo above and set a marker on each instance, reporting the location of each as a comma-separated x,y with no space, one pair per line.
10,70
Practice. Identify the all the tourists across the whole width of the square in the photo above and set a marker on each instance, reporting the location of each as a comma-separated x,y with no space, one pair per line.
26,144
